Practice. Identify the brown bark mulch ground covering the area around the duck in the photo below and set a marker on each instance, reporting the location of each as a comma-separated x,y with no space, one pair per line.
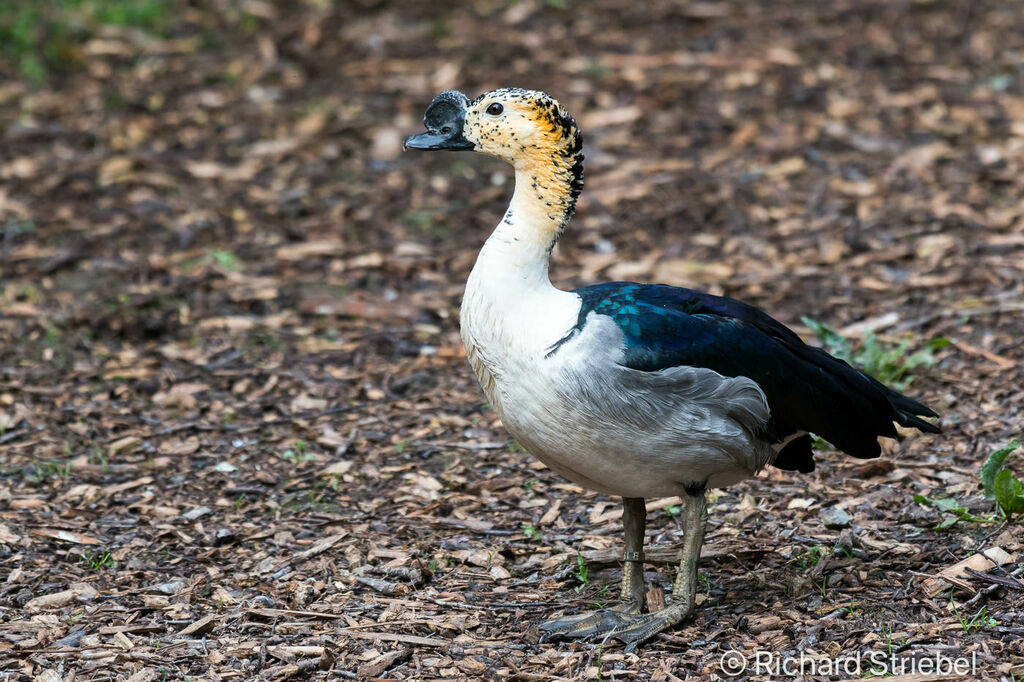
239,439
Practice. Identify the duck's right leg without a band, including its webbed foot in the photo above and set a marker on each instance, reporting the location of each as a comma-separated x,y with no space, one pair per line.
644,627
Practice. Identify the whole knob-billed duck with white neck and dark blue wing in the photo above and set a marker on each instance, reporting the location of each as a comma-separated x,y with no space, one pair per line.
635,391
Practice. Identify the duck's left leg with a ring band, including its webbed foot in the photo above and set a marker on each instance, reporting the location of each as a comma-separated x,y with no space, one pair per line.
632,592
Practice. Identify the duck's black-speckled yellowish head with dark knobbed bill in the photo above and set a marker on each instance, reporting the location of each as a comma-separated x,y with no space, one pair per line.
523,127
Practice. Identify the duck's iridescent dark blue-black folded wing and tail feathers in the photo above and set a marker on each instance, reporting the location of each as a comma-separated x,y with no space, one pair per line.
807,389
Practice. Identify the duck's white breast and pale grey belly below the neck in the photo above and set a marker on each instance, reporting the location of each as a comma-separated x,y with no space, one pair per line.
577,411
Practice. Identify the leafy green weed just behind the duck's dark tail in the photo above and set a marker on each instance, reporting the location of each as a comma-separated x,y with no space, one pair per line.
888,363
